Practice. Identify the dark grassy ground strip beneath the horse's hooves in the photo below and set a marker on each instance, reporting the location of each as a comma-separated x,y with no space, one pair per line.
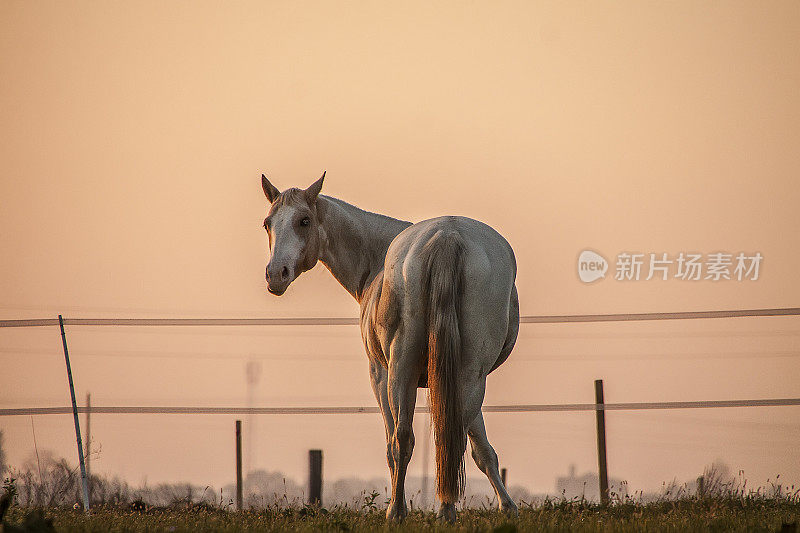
711,514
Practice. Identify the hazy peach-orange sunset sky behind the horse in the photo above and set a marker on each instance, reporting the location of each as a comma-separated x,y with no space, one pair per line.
133,137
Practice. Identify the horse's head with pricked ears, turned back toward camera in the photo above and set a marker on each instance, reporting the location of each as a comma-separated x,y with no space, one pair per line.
294,234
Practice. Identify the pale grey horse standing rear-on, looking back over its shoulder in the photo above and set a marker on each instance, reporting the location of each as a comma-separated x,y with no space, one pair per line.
439,309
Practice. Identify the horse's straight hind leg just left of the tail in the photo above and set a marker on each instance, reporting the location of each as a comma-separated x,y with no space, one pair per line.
403,375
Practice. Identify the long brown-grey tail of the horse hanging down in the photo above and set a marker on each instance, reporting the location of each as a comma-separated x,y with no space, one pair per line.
443,286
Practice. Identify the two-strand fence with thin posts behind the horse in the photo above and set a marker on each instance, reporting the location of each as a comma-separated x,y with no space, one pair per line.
599,407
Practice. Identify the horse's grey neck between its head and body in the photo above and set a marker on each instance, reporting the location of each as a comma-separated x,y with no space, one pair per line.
354,242
